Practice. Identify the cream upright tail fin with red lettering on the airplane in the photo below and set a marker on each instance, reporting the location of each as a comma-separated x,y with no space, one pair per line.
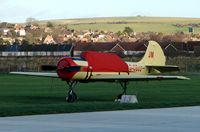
154,55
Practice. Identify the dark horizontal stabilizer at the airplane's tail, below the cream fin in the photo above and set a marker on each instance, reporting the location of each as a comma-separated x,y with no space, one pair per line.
166,68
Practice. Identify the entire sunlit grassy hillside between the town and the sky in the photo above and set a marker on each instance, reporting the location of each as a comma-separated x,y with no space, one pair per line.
138,24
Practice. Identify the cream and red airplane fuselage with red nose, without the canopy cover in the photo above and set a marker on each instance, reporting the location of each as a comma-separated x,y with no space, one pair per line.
79,69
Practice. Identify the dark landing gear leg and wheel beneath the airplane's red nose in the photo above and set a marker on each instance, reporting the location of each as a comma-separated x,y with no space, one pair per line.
71,94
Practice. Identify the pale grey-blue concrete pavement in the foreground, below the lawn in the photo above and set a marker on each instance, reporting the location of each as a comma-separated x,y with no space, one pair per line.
182,119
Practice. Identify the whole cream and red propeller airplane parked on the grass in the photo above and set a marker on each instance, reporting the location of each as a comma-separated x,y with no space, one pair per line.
94,66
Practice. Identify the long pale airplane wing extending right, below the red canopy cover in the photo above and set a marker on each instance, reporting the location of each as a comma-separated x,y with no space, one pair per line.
136,77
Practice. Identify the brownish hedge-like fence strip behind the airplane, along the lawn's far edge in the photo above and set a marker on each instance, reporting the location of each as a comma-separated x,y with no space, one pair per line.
33,63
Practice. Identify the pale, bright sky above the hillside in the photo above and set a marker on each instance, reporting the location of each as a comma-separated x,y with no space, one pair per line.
20,10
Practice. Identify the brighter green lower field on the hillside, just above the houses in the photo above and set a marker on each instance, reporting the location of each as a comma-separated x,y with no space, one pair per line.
138,27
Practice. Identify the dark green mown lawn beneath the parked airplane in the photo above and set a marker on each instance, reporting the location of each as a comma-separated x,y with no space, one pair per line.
25,95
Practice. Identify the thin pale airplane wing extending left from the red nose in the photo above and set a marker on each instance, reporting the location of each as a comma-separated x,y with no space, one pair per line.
43,74
